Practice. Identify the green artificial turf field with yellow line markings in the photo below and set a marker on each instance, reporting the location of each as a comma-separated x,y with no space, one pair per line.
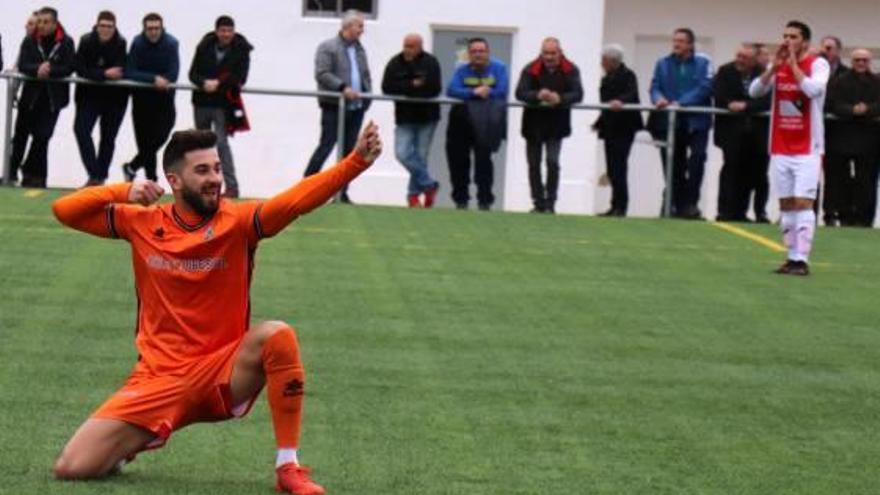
470,352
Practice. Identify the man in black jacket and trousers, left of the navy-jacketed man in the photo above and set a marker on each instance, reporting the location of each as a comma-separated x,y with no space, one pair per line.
99,57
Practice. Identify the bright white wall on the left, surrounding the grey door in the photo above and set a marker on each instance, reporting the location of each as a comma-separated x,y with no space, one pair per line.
285,131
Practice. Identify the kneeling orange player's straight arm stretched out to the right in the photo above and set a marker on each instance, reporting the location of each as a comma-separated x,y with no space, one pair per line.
313,191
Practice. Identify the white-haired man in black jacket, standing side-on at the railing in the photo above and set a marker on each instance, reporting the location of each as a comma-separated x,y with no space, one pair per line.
617,129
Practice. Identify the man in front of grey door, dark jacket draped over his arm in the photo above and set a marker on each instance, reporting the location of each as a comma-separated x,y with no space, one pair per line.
478,125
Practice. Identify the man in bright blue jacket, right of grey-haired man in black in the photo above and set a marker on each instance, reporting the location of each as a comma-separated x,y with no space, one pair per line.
684,78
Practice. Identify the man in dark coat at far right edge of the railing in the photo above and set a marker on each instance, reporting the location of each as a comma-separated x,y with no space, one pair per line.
854,97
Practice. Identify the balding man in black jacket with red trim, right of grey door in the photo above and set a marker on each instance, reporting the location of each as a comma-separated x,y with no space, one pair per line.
550,84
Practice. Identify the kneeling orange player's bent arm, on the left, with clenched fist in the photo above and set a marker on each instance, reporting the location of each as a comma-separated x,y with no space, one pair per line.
87,209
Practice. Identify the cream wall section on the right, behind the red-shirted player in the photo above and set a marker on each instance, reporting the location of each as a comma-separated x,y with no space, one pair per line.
644,26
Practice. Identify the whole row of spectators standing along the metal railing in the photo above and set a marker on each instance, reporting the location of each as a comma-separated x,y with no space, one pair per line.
548,85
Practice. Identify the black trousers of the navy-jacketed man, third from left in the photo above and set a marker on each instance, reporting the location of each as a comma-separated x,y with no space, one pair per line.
153,114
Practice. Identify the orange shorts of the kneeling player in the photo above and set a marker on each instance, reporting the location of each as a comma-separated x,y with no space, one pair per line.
198,392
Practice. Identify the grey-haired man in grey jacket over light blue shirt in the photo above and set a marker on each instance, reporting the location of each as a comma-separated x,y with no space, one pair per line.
341,65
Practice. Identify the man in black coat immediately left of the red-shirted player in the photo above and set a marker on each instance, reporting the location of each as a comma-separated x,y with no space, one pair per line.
742,138
